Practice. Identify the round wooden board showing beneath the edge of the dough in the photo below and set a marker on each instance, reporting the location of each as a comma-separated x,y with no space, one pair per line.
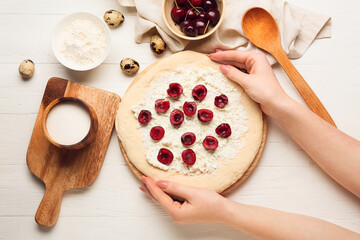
246,174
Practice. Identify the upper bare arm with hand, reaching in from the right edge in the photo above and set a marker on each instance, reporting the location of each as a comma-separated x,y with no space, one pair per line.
335,152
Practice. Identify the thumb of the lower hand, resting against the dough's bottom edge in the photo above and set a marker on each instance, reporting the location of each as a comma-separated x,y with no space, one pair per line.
176,189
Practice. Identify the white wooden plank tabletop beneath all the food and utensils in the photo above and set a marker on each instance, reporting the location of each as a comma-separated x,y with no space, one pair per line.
113,207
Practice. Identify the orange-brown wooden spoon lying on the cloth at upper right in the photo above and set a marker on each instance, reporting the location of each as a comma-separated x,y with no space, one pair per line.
261,29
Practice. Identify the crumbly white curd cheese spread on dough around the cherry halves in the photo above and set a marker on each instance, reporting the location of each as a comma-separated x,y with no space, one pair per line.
233,114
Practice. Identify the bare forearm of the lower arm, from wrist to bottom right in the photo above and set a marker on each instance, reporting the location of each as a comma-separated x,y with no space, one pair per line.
264,223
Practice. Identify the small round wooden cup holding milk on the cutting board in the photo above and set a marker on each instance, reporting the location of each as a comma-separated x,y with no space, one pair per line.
90,136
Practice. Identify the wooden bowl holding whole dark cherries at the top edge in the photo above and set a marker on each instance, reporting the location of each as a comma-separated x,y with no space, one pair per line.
167,5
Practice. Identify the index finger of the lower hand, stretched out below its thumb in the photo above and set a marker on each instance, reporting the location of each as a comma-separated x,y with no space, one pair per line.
161,197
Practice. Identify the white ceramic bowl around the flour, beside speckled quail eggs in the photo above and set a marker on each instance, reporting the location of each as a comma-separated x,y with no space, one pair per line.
61,27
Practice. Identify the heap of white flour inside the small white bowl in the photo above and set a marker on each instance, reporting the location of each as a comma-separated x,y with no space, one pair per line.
82,42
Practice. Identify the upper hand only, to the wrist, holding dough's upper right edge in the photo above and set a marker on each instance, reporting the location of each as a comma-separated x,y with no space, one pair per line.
260,84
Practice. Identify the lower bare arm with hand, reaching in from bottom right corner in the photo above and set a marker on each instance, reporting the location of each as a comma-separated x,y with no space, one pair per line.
203,205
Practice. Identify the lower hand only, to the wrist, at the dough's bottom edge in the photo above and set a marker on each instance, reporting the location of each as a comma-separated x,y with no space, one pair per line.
199,206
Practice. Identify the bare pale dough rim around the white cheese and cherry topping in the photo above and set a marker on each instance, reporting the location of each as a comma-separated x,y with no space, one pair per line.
130,136
